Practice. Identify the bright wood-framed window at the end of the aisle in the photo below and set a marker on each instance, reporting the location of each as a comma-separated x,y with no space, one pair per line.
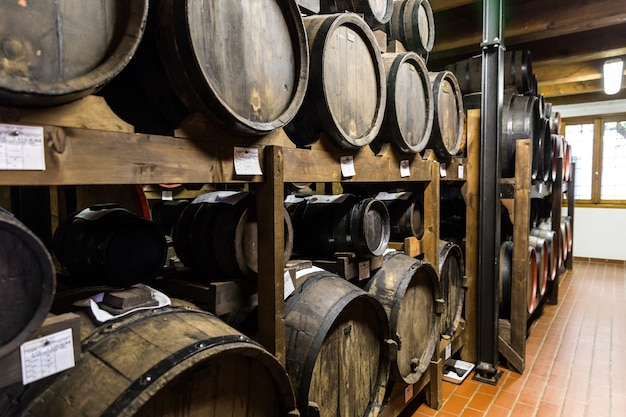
598,147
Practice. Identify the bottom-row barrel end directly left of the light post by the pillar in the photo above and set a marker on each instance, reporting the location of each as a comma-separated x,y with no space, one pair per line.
453,284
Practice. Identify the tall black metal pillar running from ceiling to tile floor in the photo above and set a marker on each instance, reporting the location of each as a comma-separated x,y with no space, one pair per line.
489,225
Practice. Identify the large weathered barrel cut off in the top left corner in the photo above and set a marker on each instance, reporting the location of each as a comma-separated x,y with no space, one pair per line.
56,52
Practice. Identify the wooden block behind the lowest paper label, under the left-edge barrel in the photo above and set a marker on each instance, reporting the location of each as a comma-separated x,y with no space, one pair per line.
11,364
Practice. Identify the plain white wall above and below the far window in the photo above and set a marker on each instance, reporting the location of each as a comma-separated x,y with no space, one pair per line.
598,232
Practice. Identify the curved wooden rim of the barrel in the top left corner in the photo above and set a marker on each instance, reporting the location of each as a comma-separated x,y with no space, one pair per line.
60,92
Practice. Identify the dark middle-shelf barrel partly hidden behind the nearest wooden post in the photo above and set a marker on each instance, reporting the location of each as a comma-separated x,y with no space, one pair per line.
216,235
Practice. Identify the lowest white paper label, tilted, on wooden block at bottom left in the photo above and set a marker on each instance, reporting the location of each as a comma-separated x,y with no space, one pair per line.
47,356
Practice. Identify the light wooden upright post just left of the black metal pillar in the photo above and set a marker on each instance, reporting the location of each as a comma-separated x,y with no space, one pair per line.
472,200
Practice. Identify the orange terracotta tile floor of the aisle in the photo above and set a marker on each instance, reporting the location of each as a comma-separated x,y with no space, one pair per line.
576,357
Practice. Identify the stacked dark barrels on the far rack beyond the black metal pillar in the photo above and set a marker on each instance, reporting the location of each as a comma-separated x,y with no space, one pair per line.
525,115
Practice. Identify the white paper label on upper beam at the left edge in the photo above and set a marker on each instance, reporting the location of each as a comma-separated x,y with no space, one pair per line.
22,148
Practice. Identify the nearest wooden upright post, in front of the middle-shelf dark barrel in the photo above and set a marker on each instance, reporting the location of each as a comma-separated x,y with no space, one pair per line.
270,215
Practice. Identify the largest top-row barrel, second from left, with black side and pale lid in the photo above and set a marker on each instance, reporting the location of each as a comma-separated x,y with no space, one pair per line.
190,61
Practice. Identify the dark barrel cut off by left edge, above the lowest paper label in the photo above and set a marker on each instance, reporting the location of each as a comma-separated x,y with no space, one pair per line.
27,279
